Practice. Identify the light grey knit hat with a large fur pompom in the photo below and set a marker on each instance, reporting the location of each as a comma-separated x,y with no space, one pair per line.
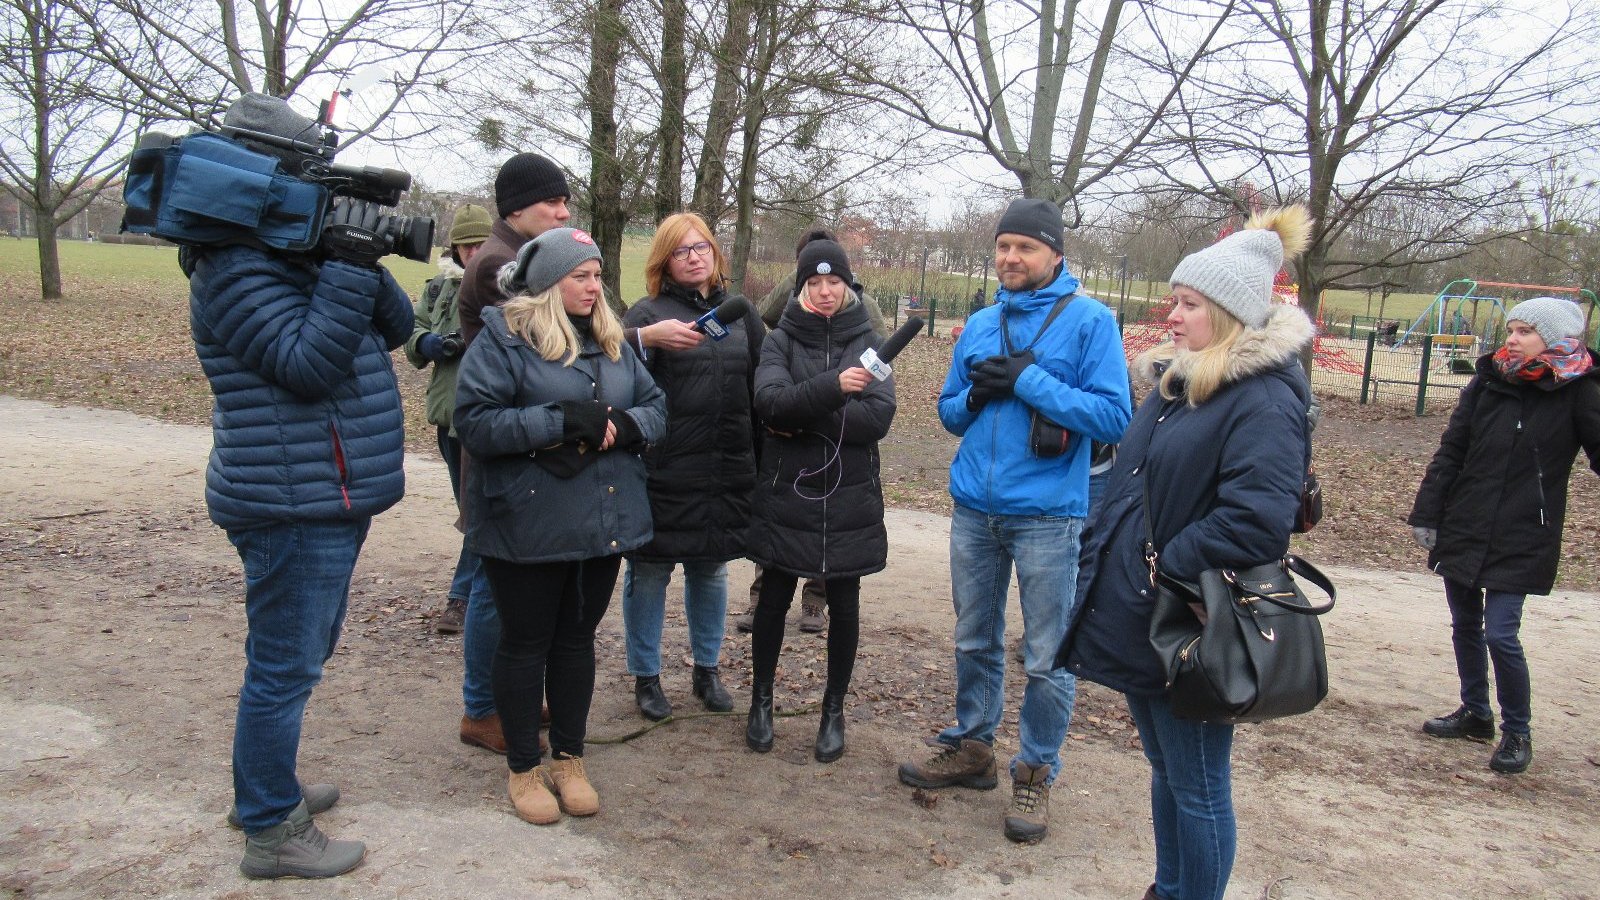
1238,271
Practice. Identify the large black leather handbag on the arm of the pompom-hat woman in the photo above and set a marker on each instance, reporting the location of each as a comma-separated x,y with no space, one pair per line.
1242,646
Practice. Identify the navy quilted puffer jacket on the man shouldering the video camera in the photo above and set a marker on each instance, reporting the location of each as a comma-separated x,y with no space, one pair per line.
308,417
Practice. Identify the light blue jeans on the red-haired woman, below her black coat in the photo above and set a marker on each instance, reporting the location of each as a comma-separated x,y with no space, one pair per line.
646,608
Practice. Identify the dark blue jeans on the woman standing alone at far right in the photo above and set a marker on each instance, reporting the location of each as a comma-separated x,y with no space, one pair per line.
1486,625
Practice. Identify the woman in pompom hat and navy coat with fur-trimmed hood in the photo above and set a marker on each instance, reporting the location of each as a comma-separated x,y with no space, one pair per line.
1209,472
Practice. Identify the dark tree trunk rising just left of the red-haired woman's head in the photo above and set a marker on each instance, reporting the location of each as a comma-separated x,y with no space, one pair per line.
607,215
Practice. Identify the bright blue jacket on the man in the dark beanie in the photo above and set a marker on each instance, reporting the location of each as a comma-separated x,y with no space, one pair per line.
1079,382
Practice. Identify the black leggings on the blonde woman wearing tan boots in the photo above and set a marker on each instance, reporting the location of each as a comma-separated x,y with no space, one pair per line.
550,613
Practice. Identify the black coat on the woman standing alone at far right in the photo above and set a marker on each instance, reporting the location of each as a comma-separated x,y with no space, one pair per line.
1497,489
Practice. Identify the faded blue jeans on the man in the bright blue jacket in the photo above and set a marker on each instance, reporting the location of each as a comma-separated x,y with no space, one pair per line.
1046,552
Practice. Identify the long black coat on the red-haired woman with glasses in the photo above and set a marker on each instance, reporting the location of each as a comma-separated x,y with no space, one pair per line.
702,475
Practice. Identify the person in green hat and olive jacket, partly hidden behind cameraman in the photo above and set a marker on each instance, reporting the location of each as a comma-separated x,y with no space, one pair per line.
438,340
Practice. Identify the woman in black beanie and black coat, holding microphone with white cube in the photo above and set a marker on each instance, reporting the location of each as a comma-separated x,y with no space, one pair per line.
818,505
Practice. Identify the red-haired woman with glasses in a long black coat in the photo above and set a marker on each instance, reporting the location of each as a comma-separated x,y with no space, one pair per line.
703,473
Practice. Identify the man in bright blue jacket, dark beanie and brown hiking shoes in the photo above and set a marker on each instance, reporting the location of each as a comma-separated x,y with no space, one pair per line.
1034,379
